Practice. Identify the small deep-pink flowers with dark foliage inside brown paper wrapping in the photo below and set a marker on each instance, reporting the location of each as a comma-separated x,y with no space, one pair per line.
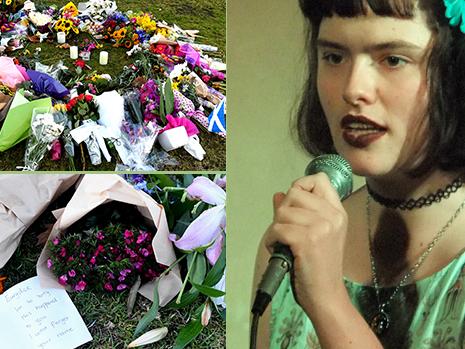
110,259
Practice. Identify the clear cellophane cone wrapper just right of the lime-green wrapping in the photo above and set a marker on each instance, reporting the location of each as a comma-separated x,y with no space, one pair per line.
45,129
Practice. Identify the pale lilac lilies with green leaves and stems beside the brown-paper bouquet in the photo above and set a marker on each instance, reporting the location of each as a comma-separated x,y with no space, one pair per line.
196,212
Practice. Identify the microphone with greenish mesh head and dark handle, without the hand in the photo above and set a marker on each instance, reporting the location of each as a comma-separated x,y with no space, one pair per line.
340,175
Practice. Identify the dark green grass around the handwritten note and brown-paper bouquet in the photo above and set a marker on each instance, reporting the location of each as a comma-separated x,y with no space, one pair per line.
106,315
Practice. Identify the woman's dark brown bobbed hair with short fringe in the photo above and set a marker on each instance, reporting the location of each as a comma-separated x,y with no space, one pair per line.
446,80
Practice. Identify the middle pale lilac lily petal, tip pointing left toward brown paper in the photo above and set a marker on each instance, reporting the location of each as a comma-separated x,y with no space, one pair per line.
203,230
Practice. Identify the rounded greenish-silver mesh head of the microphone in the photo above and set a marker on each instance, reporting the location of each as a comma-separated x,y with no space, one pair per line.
337,169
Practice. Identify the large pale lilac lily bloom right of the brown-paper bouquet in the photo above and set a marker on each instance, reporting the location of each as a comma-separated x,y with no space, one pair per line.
206,229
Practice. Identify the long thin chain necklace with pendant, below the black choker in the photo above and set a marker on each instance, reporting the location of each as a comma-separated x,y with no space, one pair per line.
381,321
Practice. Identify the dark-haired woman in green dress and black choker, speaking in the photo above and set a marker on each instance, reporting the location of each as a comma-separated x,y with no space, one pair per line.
386,268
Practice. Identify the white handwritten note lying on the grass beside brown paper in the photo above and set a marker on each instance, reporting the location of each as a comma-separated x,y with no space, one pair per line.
37,318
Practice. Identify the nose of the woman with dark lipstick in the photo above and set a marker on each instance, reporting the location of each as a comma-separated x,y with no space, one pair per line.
360,84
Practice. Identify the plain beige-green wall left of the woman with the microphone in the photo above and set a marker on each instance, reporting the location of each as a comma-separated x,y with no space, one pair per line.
266,70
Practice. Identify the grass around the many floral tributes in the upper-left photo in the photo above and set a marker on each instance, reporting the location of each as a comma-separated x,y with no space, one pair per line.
209,17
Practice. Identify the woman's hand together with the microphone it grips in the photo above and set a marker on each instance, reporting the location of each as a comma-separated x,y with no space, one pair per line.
308,233
